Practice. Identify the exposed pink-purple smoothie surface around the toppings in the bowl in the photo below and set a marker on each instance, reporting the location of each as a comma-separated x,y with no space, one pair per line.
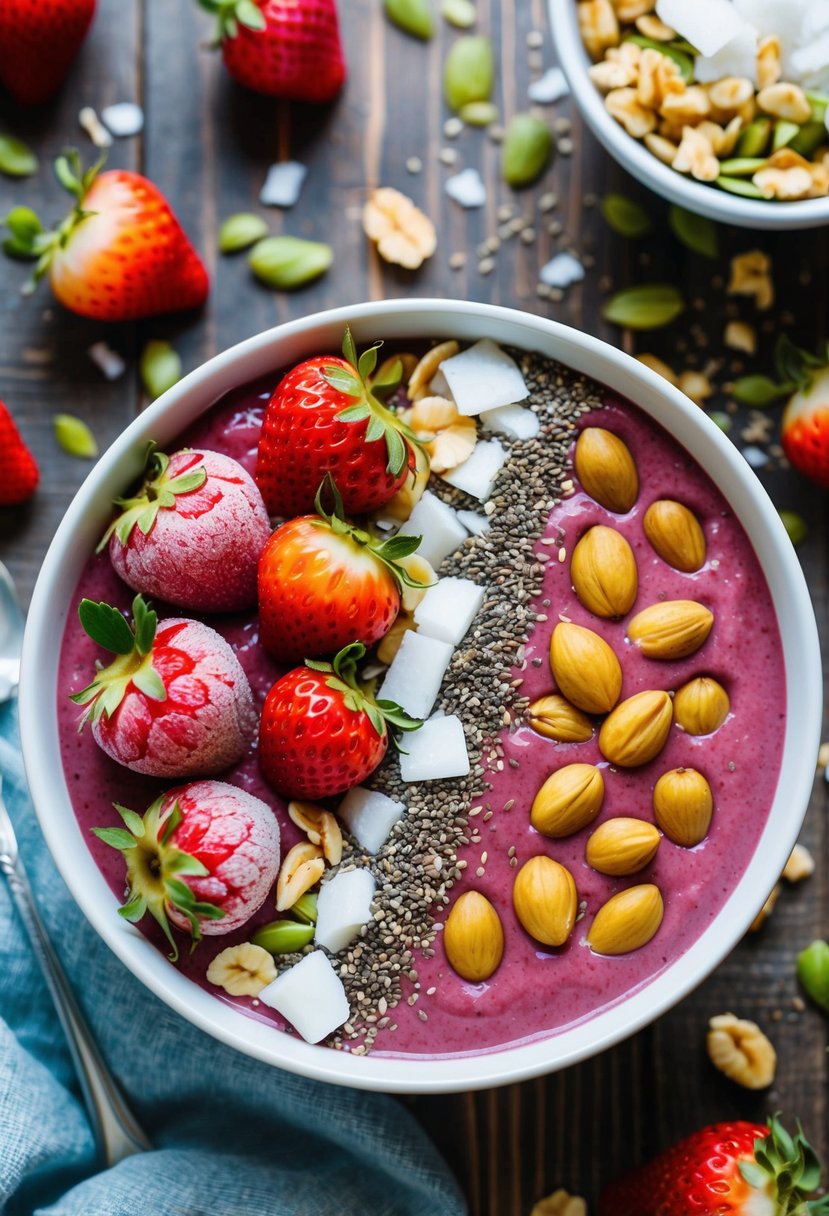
538,990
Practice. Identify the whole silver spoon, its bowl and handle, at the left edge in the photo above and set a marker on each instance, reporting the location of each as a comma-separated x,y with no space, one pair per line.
115,1127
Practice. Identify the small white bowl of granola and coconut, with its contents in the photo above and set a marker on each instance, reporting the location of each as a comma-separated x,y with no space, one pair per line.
719,106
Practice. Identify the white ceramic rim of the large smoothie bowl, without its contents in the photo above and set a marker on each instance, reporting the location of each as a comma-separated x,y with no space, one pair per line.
402,320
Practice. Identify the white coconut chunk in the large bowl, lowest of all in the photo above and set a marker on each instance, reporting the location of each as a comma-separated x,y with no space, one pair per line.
311,997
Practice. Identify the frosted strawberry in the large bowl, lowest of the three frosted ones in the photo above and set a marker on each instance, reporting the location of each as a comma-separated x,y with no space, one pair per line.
204,857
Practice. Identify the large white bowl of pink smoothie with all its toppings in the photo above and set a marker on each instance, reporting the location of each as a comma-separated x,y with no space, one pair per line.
604,632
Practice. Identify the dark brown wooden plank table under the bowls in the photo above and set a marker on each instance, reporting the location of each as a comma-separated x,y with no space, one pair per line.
207,145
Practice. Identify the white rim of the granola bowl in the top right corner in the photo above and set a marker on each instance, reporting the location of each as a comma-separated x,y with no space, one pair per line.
642,165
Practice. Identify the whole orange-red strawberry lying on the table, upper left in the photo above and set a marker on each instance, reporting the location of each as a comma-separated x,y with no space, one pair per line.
120,256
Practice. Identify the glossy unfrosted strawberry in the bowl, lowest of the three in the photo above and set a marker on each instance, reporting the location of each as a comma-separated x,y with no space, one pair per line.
320,733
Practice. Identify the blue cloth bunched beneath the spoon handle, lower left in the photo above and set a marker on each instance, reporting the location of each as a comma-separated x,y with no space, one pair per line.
233,1136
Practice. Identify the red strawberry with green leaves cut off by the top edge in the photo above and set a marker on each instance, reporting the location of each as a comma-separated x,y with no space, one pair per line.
281,48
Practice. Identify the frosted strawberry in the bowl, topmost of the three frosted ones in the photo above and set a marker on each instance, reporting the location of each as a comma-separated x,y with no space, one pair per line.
193,533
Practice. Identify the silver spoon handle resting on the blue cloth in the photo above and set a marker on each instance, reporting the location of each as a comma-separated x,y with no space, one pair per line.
116,1129
